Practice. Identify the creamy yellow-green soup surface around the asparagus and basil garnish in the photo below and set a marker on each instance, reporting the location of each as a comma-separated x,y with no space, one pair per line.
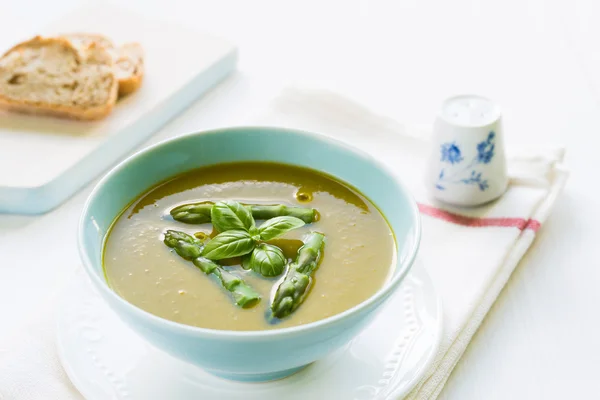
356,261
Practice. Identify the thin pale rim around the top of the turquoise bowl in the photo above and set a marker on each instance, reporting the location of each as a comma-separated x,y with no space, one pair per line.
382,293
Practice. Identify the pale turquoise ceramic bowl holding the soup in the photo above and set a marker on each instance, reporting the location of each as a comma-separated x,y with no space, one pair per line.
251,355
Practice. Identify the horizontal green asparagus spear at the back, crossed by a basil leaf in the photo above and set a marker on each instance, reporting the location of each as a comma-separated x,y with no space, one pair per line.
199,213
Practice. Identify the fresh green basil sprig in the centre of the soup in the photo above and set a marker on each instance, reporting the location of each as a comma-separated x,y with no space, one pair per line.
240,237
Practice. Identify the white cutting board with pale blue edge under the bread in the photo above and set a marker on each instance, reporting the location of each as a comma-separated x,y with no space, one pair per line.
44,160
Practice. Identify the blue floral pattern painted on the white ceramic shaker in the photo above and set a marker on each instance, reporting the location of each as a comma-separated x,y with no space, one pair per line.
467,175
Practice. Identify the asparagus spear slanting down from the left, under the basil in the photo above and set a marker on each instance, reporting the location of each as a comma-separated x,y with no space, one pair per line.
190,248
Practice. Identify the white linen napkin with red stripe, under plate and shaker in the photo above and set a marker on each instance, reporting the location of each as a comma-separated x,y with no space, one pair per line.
469,254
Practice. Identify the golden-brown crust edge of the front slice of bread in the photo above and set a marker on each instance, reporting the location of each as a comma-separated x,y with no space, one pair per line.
74,112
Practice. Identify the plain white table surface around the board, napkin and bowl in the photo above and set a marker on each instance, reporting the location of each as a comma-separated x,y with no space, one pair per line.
539,59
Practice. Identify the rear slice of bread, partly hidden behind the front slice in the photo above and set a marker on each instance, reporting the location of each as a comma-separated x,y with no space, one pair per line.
129,59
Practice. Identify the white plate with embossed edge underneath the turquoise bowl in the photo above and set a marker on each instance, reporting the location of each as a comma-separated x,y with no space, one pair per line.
106,360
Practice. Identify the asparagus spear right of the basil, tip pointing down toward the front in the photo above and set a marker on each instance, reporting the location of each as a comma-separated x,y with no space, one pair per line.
294,288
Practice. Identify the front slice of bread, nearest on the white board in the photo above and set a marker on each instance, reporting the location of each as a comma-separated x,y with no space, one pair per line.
52,76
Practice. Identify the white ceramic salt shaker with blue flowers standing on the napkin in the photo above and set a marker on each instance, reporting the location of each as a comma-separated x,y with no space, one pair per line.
467,166
